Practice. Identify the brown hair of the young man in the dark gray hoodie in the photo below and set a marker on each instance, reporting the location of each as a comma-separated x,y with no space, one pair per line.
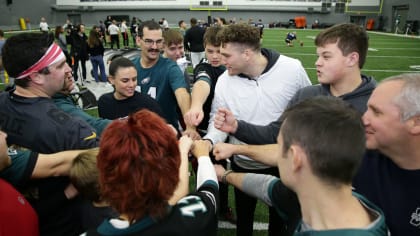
350,38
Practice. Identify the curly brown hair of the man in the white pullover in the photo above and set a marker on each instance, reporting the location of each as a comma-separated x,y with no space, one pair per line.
242,34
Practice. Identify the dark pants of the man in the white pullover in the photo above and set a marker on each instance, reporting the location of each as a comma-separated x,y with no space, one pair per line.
245,208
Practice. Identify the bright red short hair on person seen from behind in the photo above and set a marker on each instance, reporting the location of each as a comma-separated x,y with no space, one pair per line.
138,165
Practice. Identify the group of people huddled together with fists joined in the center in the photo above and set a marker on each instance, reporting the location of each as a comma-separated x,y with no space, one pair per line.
337,158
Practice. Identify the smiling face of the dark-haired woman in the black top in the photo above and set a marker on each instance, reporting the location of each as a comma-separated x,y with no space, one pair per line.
125,82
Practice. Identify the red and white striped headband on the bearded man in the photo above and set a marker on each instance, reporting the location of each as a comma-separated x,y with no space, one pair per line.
51,56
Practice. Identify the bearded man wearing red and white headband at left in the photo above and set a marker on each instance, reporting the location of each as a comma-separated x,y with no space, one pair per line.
32,120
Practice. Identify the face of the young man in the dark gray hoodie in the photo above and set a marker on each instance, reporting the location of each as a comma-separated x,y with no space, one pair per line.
331,64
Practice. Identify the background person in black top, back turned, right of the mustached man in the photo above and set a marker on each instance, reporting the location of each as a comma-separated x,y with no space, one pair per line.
193,42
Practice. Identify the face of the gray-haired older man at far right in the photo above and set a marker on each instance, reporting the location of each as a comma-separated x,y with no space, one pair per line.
383,126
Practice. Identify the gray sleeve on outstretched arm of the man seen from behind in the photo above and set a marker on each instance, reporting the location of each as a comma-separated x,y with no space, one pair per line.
258,186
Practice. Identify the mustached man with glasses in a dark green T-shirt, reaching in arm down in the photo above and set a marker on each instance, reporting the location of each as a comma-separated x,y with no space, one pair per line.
160,77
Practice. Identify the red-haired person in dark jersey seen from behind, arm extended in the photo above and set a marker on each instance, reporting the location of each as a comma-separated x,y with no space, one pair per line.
143,174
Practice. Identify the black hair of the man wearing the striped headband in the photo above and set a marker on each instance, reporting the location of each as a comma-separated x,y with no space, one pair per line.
23,50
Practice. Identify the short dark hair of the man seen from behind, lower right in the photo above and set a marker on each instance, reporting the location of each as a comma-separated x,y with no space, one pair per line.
331,133
